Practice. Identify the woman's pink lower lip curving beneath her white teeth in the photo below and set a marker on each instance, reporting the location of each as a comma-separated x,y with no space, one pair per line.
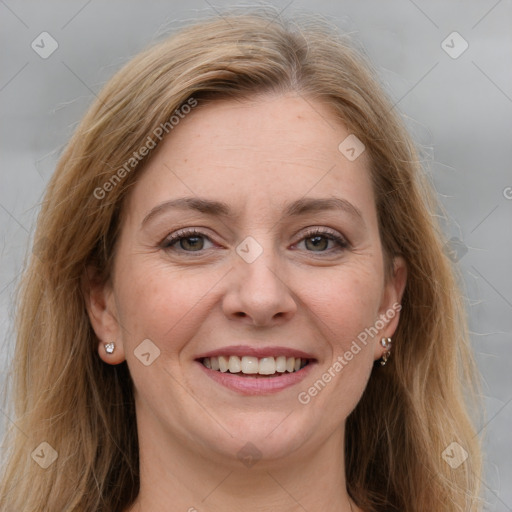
259,385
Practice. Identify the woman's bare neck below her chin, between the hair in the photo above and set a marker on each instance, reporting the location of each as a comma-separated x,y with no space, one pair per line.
172,475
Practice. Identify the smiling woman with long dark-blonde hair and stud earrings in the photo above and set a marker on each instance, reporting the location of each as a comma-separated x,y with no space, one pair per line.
239,298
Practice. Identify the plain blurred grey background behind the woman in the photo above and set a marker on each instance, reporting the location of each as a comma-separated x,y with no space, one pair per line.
459,111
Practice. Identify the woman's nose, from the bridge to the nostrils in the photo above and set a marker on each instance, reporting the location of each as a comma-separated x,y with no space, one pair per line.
258,294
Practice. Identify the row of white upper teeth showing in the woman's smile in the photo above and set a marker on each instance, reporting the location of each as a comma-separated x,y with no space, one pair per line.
252,365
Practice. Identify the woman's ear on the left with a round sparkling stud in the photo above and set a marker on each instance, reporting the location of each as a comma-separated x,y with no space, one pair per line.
101,308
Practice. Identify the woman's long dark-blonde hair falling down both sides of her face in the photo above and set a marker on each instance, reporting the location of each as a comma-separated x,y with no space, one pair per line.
64,395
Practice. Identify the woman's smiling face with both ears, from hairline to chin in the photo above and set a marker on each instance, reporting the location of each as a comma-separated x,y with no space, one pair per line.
250,236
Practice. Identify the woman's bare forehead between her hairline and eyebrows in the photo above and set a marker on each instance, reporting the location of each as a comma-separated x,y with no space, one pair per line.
257,151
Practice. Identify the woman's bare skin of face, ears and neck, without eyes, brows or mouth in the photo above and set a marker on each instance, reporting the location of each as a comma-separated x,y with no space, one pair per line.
257,156
